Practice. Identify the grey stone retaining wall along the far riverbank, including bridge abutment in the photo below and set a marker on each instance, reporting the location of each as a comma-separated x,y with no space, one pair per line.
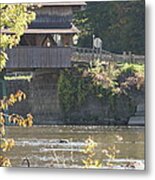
43,102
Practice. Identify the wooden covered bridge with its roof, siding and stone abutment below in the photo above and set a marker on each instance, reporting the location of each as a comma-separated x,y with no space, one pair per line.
44,49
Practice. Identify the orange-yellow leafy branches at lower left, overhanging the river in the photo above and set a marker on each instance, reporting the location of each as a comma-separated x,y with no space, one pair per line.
8,144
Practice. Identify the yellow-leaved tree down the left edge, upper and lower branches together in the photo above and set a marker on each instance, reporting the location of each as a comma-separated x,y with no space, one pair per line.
15,18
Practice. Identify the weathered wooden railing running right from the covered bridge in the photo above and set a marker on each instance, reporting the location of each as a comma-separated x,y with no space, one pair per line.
87,55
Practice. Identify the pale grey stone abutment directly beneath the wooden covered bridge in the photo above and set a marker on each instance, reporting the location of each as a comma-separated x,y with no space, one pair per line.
44,97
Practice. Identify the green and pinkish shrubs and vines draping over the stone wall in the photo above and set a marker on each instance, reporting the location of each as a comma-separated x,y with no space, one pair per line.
101,80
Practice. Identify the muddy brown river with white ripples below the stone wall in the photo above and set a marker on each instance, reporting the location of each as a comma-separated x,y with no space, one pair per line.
61,146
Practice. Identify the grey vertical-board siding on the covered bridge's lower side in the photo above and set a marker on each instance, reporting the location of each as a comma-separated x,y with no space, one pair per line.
39,57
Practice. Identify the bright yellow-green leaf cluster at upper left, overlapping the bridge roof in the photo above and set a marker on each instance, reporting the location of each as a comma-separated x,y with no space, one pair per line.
15,18
